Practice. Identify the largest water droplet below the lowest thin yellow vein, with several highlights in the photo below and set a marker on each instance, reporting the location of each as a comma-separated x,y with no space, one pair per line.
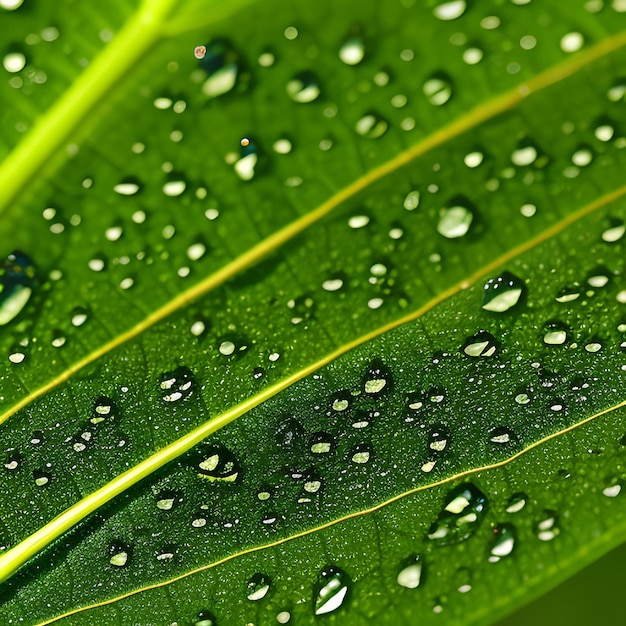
463,511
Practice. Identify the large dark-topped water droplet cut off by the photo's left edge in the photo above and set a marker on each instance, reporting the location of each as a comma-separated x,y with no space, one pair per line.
17,279
